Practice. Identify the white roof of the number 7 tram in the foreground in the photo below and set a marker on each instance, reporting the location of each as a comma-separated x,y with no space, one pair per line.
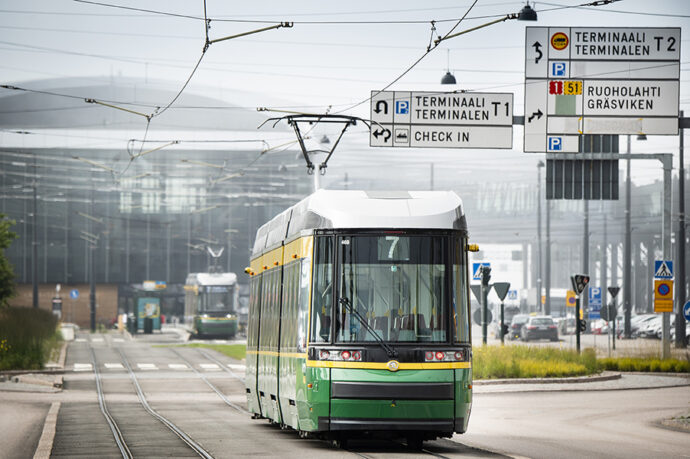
363,209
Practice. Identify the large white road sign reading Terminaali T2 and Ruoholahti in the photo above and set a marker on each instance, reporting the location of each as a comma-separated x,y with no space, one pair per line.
599,81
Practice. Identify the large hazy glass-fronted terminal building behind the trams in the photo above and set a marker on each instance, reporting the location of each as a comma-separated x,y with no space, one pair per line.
88,203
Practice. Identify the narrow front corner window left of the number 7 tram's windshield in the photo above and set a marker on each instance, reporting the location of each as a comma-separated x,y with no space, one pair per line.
322,300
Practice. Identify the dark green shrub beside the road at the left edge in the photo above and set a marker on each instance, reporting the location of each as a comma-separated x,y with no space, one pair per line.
28,336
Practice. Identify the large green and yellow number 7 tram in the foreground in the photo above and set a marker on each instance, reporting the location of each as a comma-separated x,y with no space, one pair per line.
359,317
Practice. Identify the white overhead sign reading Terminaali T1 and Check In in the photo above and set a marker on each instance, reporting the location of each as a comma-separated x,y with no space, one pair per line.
441,120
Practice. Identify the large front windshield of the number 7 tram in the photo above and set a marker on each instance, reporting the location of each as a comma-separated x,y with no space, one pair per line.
398,284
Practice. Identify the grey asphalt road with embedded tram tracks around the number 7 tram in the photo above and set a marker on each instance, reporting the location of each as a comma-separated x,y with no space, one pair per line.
204,398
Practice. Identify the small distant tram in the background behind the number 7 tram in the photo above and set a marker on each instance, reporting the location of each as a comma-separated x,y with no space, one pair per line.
210,303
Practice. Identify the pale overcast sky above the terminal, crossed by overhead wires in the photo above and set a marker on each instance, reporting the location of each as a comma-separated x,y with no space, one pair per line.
329,60
